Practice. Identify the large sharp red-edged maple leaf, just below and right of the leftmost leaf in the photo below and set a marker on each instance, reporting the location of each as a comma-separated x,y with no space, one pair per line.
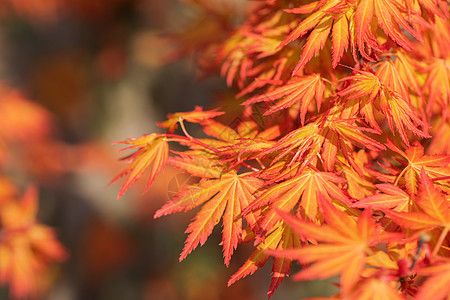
225,198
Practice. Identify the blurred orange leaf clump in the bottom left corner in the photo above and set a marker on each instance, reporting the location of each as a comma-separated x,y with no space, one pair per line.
26,246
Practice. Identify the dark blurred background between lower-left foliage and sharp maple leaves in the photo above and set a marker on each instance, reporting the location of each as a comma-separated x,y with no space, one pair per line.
78,75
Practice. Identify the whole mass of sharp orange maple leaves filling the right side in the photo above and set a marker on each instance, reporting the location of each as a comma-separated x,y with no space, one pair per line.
341,158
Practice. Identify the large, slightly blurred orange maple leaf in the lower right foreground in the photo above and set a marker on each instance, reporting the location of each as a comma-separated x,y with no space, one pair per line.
344,244
